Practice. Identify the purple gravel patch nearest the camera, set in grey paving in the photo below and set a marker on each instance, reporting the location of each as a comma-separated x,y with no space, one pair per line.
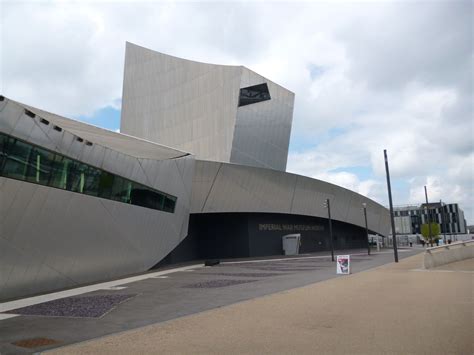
82,307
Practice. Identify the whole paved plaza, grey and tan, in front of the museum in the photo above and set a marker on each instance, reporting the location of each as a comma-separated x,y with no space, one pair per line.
272,306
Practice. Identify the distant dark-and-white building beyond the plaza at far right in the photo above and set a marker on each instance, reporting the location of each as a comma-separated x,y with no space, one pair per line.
408,219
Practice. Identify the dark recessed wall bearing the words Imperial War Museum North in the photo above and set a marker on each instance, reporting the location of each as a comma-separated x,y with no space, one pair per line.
237,235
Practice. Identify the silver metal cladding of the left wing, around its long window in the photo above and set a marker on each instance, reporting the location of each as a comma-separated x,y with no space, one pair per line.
52,238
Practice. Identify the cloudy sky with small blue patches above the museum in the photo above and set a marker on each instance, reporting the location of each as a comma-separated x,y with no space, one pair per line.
367,75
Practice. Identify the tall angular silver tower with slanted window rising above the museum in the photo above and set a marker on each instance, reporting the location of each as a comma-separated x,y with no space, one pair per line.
216,112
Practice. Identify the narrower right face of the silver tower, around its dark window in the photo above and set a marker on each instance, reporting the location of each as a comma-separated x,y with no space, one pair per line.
262,130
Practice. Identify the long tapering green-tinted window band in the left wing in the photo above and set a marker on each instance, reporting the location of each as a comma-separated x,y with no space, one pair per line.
27,162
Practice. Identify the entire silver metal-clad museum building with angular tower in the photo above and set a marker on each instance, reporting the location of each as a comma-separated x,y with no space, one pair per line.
198,171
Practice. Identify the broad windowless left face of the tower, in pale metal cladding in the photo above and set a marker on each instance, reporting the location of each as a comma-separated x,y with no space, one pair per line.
180,103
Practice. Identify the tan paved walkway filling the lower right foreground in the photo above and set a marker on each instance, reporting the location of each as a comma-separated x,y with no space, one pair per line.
386,310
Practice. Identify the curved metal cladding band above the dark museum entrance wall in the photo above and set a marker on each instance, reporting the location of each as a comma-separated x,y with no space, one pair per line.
221,187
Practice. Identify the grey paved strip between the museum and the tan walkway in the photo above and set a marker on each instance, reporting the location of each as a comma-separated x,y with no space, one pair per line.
164,299
